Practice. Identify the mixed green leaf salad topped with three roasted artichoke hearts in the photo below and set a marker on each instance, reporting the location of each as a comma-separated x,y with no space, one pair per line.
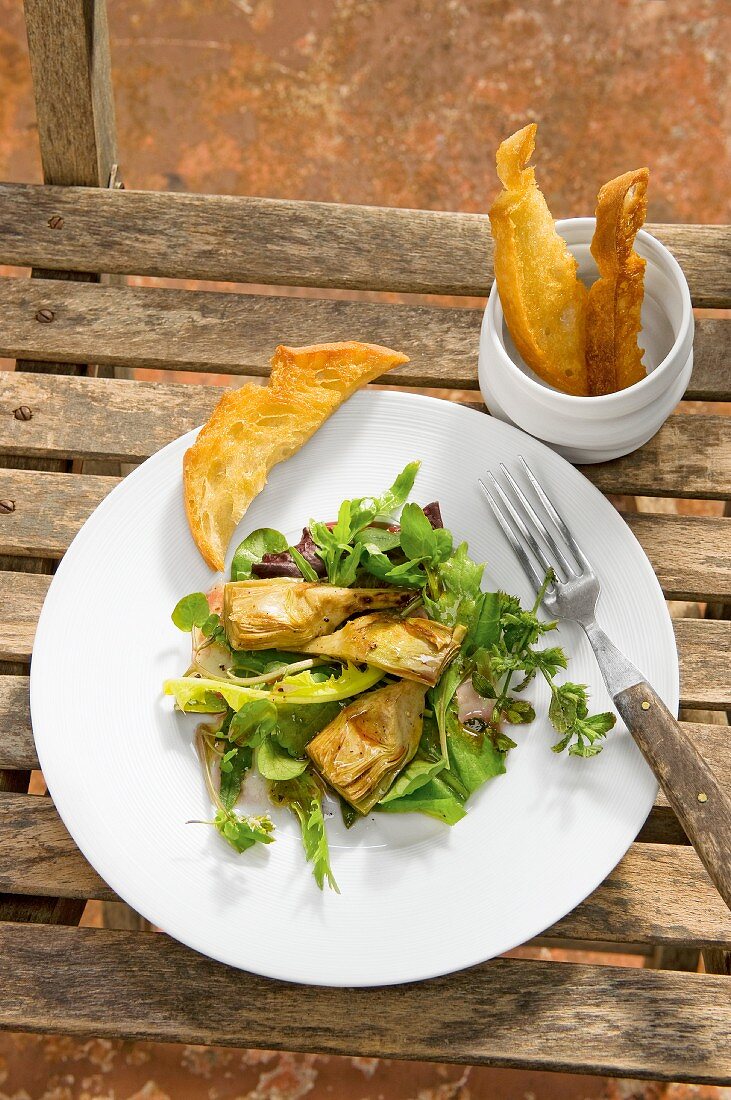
365,663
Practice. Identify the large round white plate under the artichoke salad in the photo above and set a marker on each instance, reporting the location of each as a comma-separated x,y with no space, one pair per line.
418,899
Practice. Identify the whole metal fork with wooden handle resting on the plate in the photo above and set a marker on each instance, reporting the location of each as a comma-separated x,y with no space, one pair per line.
702,805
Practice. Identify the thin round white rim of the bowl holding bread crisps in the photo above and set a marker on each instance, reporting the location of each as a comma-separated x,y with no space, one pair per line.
494,311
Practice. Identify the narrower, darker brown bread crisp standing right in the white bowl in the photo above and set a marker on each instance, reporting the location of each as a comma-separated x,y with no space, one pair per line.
614,358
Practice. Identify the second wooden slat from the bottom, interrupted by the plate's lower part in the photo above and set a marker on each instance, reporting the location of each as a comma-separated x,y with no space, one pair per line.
659,894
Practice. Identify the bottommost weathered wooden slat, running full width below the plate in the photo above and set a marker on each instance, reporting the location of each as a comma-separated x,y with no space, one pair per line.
542,1016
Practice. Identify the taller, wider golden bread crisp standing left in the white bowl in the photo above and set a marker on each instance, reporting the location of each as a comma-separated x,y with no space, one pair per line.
544,301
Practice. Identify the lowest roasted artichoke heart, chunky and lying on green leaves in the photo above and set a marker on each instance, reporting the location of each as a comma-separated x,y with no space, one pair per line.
364,749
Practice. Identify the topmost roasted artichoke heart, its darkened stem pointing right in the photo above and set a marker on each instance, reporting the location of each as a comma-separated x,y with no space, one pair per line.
283,613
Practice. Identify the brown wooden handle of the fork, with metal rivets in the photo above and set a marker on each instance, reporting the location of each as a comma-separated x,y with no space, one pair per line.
702,805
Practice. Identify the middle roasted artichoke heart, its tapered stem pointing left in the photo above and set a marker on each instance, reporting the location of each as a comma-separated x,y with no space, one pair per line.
415,648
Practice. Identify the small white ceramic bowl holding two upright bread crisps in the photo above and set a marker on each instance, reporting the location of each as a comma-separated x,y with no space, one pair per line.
596,430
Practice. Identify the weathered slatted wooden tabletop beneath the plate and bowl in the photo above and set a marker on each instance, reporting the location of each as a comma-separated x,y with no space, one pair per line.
657,1024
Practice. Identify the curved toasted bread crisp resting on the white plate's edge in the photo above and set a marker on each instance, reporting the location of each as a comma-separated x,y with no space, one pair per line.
256,427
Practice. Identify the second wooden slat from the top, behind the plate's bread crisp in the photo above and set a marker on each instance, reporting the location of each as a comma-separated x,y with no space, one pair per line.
232,334
